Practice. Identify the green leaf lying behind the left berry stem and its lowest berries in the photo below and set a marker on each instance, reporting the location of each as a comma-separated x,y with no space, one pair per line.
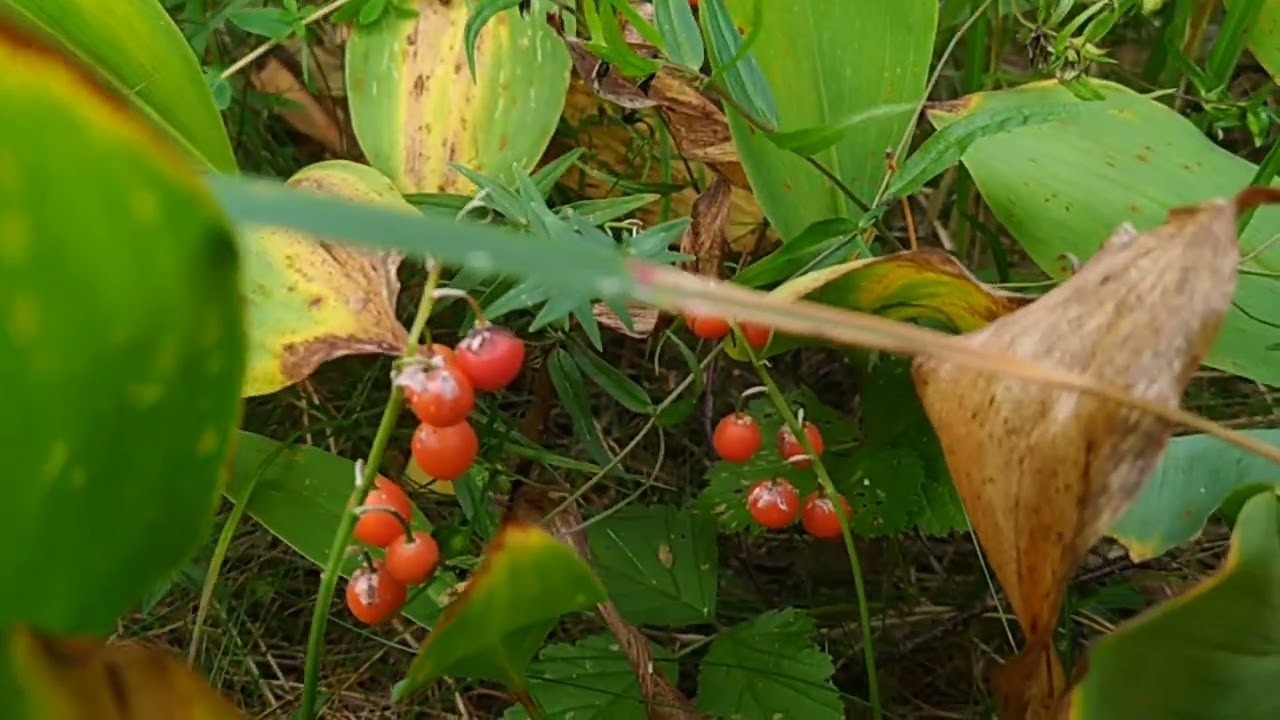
300,493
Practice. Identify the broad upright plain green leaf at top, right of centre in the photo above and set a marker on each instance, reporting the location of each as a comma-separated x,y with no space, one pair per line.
829,61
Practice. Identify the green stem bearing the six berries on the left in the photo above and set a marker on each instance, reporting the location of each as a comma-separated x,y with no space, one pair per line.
342,537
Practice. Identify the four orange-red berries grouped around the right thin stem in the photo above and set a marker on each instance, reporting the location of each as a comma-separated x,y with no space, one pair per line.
775,504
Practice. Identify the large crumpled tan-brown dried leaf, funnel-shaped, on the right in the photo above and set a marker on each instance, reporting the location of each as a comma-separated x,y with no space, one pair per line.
1044,472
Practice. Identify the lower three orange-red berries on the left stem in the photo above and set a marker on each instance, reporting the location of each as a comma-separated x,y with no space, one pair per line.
380,589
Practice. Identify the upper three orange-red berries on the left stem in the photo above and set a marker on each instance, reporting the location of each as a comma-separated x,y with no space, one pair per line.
441,389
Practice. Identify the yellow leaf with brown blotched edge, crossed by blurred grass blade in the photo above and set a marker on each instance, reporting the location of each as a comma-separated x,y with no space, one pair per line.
310,302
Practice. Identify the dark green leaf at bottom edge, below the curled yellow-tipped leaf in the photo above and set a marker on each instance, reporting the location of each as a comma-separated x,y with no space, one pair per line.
588,681
